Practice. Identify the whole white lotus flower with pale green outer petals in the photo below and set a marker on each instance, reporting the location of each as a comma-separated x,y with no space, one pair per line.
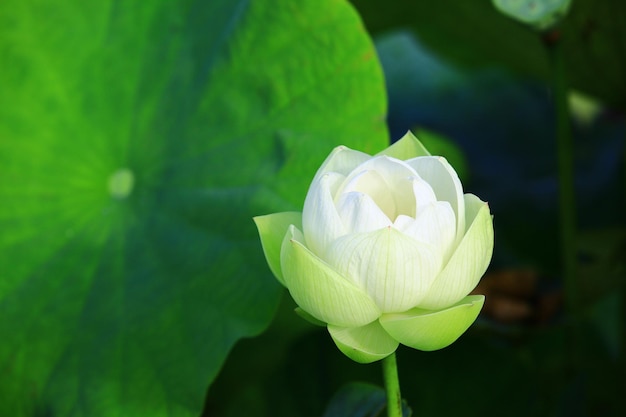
386,250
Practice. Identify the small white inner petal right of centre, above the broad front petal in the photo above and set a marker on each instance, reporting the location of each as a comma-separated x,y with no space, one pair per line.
436,225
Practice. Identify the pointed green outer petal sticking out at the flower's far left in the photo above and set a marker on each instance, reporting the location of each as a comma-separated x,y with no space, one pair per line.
272,229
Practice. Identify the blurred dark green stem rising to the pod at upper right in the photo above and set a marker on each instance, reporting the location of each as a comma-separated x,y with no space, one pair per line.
565,150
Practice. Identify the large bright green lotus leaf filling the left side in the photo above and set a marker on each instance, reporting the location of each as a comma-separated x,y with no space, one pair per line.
137,140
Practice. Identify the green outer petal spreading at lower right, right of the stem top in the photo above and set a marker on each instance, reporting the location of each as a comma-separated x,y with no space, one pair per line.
431,330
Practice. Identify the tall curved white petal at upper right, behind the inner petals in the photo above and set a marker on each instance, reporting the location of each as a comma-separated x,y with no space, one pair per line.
443,179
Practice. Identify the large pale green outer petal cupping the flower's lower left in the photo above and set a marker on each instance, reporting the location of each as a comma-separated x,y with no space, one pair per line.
320,290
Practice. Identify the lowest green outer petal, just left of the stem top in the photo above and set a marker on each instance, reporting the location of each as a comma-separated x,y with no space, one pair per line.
364,344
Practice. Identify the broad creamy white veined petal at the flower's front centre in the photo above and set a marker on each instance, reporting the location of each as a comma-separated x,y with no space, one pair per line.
394,269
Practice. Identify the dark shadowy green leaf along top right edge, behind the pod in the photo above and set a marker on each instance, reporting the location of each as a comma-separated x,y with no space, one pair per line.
474,34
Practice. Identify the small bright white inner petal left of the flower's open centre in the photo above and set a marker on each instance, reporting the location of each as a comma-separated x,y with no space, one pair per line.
360,214
